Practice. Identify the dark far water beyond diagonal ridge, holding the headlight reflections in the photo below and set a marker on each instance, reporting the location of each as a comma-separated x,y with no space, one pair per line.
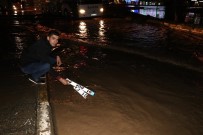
148,40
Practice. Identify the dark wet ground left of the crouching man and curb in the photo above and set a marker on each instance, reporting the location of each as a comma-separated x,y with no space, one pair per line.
17,96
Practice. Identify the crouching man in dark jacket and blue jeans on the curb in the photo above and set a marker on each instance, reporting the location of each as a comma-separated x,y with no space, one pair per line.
38,59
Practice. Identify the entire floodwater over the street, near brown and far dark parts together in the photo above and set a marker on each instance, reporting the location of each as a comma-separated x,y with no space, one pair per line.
134,68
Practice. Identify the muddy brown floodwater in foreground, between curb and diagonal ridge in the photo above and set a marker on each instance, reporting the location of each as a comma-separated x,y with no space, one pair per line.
134,96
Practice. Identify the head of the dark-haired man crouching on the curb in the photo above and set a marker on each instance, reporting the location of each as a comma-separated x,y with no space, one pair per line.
53,37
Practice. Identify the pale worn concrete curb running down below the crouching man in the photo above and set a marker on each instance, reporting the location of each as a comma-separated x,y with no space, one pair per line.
44,116
